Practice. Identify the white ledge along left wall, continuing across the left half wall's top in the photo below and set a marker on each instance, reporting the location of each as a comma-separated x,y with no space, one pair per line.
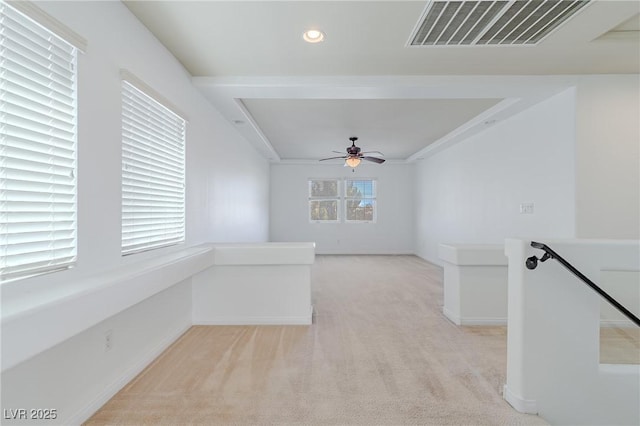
33,323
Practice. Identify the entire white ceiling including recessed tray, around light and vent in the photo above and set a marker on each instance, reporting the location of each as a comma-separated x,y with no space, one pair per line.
299,101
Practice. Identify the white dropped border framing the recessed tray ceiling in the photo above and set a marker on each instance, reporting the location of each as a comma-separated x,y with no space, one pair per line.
517,93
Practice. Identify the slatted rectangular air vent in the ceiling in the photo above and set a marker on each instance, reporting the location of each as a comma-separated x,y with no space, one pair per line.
464,23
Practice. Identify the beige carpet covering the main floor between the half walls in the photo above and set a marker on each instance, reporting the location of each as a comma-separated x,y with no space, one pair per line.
379,352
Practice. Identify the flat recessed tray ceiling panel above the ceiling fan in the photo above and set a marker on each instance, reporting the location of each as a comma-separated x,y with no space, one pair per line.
304,129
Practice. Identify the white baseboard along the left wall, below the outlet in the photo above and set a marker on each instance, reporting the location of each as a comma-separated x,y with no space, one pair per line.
84,414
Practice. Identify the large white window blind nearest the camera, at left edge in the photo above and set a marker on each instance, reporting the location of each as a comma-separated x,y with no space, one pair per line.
38,112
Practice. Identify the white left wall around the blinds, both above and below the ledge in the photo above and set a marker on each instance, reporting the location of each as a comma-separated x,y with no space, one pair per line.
227,200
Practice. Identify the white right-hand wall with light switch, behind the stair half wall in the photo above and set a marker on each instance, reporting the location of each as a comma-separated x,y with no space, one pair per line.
471,192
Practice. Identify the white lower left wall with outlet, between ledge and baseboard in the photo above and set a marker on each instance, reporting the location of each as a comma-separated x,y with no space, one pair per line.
77,376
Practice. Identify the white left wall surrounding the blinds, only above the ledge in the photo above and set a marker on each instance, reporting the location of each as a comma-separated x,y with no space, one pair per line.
225,202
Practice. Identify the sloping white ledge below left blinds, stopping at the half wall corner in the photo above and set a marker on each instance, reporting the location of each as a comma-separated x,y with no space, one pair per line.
30,326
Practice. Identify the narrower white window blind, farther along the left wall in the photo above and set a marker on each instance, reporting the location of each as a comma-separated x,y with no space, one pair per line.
153,173
